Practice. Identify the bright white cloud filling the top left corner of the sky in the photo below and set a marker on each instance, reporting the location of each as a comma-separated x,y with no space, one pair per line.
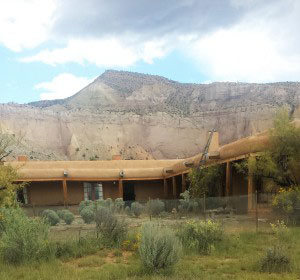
25,24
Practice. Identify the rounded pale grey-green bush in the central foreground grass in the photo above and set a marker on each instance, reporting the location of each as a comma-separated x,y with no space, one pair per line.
159,248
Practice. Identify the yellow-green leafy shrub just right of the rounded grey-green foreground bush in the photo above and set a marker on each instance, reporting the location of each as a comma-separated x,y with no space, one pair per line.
200,236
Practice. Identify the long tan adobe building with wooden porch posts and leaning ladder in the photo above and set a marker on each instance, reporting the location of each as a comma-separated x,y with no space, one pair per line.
70,182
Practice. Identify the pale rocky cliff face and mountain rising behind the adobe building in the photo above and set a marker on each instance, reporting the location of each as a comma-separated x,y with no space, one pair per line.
142,116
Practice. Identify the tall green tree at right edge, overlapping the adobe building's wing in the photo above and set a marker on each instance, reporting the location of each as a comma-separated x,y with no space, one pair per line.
279,164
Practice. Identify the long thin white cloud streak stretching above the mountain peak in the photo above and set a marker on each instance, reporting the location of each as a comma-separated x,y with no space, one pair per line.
103,52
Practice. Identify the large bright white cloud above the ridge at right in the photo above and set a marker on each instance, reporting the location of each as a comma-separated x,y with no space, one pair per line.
254,50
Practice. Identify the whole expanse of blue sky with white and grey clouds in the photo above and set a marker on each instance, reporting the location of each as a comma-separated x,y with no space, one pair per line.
52,48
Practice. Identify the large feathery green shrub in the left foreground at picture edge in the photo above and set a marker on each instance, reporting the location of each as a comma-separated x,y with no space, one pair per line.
24,239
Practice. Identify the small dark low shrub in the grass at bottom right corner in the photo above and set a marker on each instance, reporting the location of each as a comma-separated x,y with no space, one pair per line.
275,261
